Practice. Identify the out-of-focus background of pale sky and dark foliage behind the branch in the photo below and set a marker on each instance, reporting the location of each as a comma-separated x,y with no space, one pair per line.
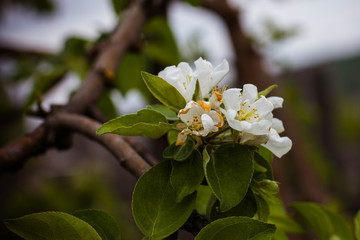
311,49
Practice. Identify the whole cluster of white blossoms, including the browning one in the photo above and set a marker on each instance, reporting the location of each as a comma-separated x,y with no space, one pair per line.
242,110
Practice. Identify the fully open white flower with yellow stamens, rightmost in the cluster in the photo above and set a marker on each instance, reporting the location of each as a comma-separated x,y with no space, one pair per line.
252,117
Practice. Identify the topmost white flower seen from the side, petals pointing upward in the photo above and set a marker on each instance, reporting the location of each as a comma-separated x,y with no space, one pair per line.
183,78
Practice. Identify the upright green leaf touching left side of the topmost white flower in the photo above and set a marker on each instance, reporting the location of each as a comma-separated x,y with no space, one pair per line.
164,92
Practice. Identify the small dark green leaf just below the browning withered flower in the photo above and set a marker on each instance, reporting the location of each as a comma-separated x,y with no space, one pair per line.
179,153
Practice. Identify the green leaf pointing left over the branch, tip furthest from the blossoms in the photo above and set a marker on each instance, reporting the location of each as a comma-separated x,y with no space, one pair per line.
146,122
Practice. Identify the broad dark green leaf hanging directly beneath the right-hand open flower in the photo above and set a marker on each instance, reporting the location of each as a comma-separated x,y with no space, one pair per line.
229,171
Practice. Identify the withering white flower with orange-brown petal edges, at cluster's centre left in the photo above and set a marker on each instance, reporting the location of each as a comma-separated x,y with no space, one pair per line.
200,120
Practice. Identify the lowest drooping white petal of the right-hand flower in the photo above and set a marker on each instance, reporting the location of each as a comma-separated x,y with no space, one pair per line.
278,145
